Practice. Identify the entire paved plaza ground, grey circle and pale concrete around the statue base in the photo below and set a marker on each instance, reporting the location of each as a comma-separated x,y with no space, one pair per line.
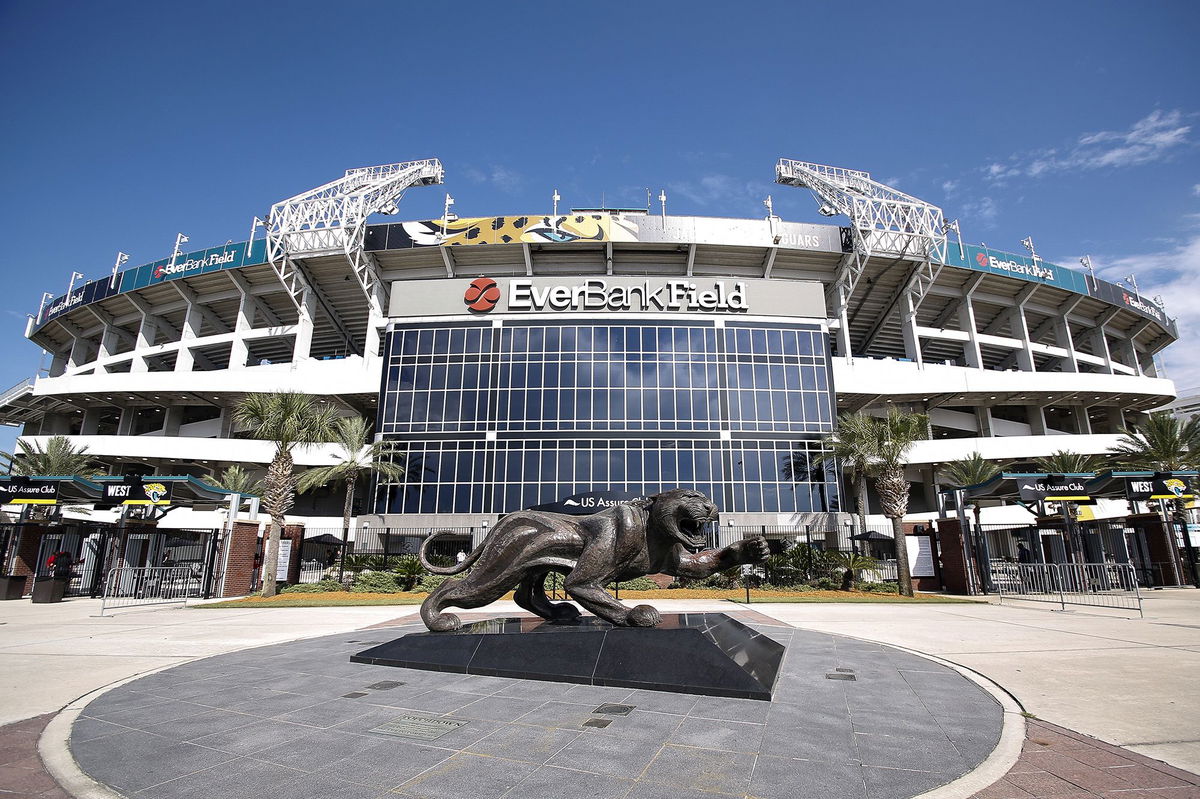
244,701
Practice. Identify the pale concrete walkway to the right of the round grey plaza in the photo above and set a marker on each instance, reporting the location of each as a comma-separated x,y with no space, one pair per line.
1125,681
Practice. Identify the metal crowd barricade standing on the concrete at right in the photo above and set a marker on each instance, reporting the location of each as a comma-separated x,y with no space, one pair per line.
1091,585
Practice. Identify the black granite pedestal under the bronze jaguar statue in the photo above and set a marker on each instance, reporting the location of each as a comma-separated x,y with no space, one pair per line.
688,653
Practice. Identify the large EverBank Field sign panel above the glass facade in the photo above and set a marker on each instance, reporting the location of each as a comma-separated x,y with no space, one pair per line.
525,296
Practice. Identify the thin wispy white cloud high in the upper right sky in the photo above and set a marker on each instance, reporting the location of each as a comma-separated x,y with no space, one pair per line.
1153,139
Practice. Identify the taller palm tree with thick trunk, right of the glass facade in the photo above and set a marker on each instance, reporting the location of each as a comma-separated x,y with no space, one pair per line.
895,436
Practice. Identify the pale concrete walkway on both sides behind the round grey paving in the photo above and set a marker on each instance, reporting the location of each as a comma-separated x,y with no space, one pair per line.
1125,681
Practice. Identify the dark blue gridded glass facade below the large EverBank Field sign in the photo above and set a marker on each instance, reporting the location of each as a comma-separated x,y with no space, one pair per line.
495,418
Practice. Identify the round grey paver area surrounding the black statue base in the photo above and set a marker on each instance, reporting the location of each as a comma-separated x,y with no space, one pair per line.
277,722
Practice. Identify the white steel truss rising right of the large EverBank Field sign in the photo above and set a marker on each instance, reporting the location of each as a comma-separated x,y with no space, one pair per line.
884,221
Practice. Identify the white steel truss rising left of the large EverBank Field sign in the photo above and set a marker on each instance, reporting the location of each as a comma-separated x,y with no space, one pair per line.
333,219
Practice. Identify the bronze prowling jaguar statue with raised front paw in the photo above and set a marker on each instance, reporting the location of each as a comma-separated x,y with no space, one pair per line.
663,533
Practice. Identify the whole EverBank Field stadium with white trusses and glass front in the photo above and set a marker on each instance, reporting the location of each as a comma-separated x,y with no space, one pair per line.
571,361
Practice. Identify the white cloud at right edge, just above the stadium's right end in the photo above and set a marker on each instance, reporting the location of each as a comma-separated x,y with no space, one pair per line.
1173,275
